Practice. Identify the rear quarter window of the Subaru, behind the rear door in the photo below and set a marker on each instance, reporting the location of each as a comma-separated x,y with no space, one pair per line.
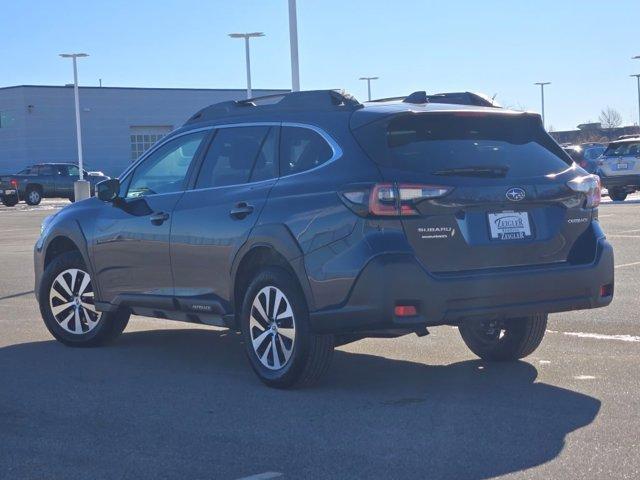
302,149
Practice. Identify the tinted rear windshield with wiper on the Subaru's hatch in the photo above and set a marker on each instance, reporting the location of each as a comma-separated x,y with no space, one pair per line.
450,144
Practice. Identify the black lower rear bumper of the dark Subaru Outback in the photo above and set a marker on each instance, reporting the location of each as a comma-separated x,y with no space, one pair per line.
399,279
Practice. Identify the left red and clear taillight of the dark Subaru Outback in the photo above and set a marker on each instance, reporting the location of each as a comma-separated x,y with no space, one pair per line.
391,199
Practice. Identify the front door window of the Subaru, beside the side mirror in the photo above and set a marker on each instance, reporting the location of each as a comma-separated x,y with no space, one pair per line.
164,171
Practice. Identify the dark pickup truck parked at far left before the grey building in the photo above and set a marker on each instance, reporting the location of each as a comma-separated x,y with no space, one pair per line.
44,180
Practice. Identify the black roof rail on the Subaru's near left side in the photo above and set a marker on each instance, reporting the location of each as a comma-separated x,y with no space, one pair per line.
307,100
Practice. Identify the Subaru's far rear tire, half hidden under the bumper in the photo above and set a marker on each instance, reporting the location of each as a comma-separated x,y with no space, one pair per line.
506,340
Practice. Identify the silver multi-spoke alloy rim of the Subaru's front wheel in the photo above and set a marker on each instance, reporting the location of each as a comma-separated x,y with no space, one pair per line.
71,300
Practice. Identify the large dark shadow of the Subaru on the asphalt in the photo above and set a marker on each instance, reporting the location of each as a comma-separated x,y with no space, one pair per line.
184,404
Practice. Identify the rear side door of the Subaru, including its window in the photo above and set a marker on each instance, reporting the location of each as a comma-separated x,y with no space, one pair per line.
214,219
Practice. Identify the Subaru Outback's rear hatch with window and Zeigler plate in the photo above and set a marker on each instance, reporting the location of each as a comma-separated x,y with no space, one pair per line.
507,202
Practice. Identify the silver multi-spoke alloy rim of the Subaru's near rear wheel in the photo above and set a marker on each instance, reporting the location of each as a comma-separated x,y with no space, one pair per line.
272,328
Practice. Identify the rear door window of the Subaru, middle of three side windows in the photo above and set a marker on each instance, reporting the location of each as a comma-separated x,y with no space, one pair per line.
237,154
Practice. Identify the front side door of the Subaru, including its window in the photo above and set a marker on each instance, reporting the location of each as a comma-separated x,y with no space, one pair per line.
131,238
